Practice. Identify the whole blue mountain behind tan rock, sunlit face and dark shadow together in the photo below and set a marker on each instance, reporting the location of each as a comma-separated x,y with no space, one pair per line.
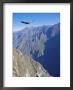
42,43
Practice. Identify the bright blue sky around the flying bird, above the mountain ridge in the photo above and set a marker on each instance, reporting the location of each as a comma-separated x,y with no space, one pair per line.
36,19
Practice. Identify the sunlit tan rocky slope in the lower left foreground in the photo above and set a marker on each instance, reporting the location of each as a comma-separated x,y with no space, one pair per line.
24,66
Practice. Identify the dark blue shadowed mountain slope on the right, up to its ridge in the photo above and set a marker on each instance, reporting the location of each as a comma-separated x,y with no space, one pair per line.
51,58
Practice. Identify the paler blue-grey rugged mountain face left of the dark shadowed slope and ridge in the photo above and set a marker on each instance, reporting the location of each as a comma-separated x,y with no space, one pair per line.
28,40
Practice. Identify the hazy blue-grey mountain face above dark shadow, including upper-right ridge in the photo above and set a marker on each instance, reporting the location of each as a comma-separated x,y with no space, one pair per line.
32,41
